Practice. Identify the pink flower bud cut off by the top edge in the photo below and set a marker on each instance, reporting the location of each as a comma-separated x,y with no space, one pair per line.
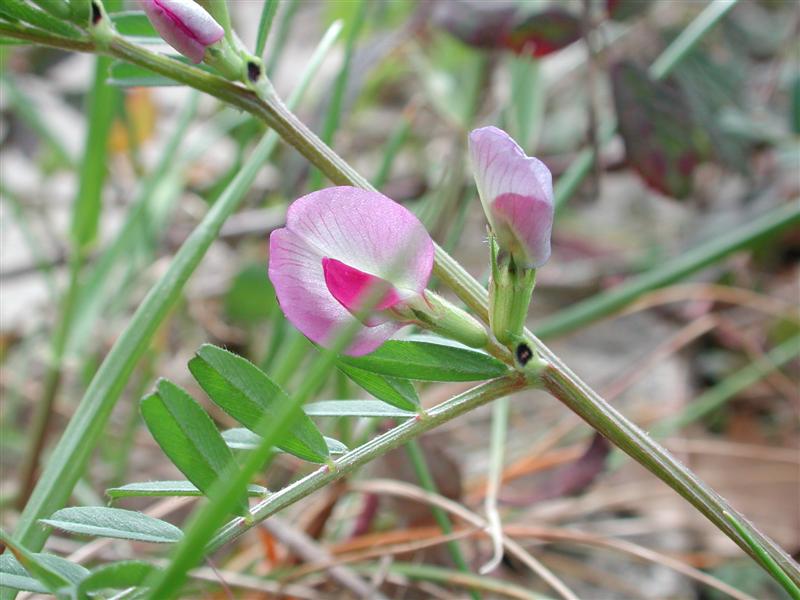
184,25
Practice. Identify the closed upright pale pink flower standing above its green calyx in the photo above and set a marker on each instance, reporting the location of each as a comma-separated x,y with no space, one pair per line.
517,195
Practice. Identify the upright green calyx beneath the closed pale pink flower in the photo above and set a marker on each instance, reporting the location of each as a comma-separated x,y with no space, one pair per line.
510,291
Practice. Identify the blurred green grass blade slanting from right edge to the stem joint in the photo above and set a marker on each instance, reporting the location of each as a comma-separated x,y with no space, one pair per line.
676,269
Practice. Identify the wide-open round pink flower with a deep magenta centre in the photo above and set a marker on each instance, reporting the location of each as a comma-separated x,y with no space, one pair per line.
339,247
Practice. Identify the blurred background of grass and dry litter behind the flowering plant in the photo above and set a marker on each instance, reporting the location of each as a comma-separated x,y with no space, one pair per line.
102,178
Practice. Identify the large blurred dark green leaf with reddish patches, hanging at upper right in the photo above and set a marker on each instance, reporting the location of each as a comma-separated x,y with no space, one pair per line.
662,141
